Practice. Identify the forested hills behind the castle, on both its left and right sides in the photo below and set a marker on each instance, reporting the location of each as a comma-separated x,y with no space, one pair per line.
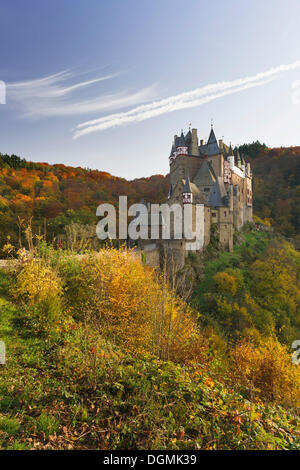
54,196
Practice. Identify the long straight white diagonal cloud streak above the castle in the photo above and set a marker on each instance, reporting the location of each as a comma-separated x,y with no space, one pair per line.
184,100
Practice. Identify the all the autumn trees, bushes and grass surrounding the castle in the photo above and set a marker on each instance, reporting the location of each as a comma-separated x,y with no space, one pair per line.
105,352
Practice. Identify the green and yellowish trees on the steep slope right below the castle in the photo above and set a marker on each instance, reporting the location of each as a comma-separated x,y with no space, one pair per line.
253,291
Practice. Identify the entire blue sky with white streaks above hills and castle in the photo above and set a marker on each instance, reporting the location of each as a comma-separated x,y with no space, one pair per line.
106,84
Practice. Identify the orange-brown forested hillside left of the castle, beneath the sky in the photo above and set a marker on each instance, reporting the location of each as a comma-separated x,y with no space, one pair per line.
54,196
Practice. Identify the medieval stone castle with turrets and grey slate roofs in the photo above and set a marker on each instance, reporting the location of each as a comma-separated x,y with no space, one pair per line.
212,175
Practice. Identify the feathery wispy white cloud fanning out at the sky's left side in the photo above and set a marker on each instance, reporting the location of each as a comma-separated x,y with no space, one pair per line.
51,96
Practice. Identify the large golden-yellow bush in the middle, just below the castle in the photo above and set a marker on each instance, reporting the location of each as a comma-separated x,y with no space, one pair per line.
140,311
